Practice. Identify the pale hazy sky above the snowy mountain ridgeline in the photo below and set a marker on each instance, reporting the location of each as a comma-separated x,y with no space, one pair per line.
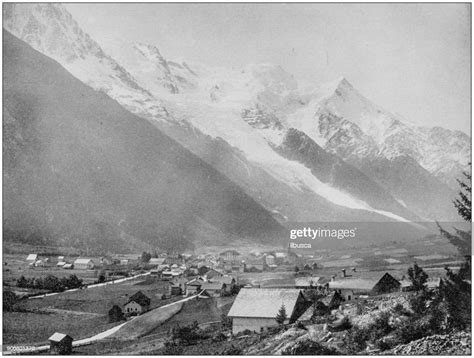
412,59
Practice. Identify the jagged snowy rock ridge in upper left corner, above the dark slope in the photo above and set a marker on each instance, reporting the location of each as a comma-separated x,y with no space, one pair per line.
50,29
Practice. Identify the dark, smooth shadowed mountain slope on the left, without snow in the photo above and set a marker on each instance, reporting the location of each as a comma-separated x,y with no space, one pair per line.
77,167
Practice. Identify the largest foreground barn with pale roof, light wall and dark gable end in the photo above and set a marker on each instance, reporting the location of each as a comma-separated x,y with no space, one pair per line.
256,308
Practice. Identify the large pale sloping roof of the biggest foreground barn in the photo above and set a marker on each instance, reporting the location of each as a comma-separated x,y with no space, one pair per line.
264,302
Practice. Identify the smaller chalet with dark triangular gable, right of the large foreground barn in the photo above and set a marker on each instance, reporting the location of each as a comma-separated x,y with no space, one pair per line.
352,287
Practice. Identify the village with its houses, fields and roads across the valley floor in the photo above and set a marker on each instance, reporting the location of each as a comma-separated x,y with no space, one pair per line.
109,295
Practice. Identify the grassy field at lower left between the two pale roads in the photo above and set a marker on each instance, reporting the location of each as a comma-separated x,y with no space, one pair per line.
79,313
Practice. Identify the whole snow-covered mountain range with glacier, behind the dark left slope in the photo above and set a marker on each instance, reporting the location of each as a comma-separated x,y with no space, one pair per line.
350,160
